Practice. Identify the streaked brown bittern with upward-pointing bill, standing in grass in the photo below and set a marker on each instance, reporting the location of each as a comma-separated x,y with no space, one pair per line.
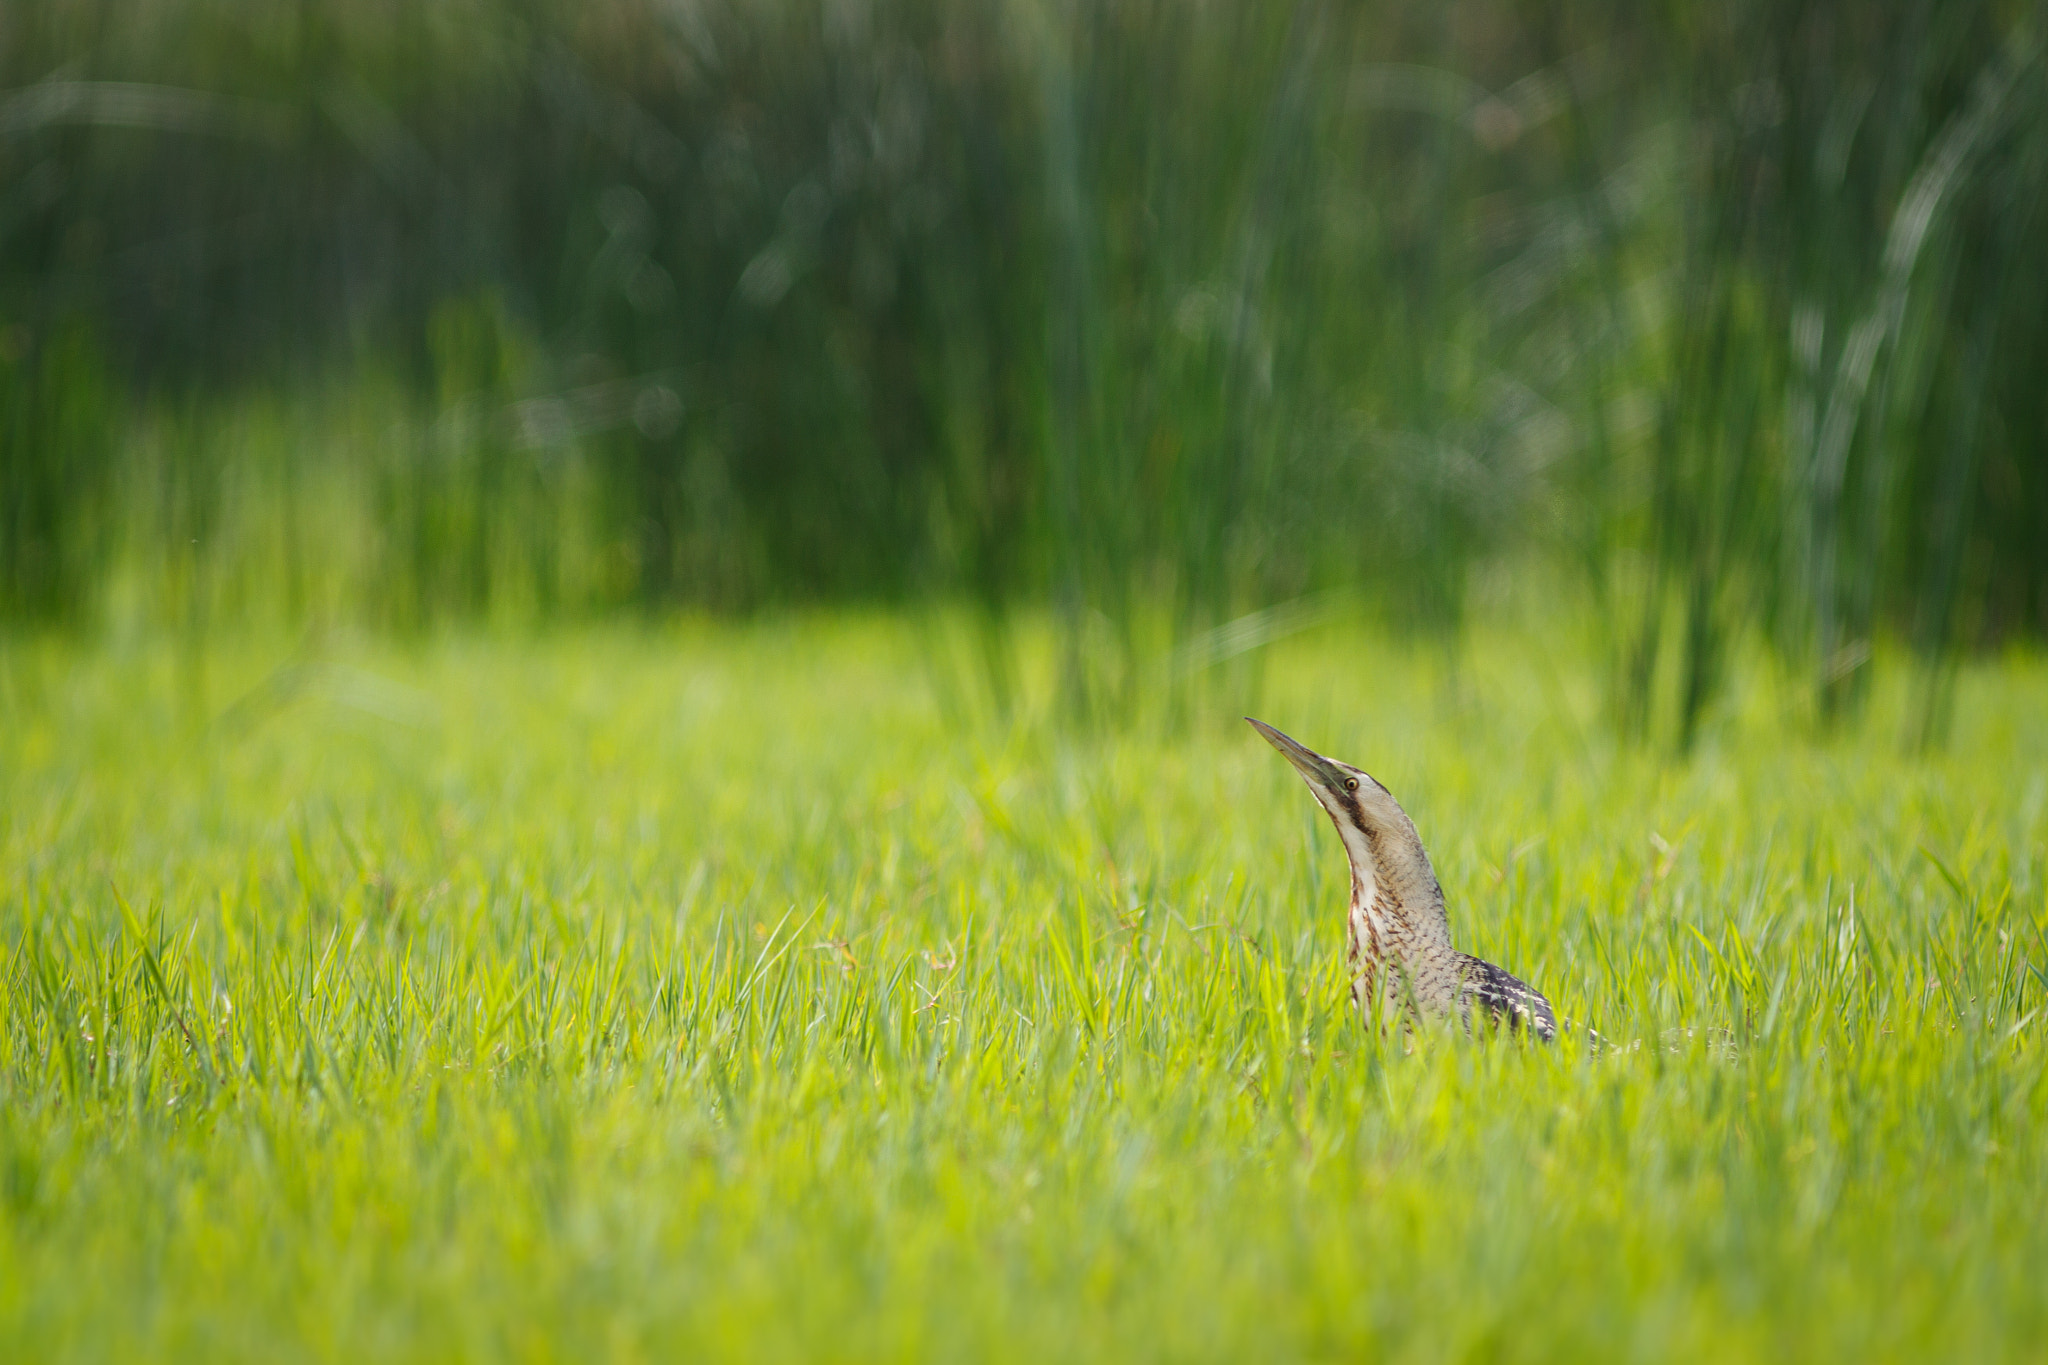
1402,957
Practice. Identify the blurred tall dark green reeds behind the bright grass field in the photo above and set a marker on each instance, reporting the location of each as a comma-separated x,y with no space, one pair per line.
1732,318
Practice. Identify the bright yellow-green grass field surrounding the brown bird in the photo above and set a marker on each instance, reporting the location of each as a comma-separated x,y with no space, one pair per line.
742,992
